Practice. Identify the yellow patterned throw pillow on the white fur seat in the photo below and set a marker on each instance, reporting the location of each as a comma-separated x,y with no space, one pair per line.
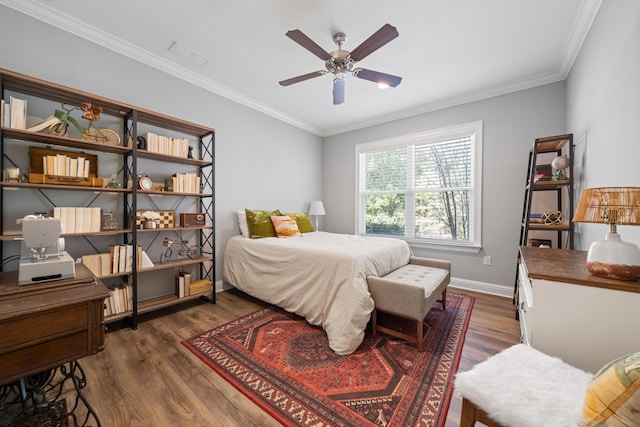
613,395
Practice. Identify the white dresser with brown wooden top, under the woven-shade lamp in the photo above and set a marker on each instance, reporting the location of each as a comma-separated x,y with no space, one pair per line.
567,312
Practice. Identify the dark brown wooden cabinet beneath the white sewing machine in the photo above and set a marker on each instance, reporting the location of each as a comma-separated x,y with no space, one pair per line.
46,325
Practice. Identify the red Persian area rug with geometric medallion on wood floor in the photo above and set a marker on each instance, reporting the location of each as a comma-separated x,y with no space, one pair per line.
285,366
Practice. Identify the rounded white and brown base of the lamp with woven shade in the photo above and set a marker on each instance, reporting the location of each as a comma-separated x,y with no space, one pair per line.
614,259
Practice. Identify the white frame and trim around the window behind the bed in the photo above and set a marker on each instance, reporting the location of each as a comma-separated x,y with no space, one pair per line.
473,129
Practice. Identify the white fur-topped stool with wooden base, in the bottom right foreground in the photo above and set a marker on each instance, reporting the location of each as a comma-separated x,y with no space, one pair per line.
522,387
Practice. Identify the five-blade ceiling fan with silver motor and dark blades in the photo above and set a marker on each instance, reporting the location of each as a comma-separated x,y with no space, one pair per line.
339,62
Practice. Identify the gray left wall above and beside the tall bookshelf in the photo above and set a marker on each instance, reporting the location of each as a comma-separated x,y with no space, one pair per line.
251,170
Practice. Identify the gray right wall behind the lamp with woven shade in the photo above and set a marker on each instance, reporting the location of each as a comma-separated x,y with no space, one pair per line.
603,104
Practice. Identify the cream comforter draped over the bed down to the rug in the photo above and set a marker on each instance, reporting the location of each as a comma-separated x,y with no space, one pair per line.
320,276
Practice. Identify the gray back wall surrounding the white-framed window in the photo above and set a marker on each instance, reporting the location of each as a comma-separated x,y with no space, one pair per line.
510,124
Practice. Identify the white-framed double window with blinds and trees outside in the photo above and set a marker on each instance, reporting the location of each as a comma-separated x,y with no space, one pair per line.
424,187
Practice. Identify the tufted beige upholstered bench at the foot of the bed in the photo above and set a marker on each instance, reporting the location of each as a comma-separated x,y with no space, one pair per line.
410,292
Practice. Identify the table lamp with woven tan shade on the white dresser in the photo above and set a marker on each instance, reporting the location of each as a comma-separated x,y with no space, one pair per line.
611,258
